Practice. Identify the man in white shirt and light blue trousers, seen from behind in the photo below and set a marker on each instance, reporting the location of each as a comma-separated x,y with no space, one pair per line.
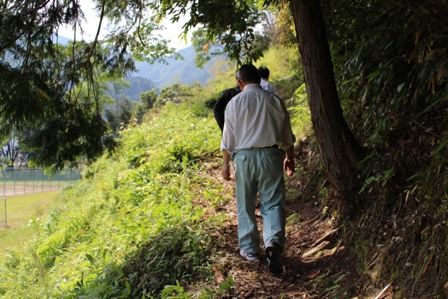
257,134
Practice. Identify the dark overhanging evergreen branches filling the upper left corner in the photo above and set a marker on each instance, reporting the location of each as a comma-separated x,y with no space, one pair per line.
55,89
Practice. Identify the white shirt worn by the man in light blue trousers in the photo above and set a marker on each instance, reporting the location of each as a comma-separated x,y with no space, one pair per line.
256,118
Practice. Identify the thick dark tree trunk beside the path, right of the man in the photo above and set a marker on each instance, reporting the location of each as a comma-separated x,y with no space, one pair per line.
339,149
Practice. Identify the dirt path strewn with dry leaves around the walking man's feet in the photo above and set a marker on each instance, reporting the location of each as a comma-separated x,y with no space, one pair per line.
316,263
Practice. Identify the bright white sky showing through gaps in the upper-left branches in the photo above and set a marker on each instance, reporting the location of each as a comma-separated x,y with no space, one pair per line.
171,32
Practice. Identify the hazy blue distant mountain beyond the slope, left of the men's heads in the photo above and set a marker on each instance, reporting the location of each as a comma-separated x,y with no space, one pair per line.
184,70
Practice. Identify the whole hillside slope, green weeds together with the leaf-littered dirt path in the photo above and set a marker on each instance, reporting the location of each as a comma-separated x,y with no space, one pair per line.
157,213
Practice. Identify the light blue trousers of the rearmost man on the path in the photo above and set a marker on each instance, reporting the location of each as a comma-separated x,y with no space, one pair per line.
260,169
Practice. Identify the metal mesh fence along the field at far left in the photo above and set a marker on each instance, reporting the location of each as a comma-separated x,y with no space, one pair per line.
15,181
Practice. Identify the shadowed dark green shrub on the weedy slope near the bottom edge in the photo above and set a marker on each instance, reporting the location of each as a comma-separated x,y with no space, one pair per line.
177,254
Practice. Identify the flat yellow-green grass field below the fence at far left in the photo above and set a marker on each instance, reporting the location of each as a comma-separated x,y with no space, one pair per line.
20,210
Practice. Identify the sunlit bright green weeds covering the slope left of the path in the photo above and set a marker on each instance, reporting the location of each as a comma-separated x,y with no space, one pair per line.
140,200
